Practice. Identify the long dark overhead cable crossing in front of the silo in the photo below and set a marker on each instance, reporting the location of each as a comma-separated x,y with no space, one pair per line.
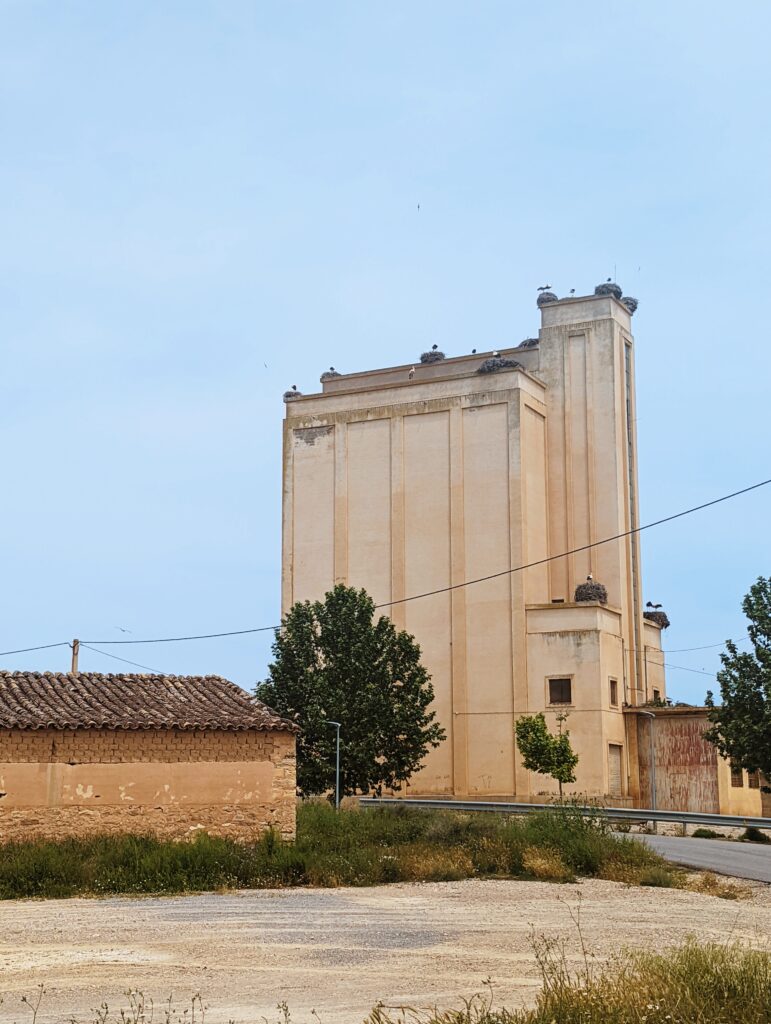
444,590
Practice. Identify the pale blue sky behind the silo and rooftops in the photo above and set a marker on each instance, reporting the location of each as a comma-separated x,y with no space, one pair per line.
204,203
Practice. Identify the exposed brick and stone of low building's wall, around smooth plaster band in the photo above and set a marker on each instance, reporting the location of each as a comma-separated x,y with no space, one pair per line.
242,822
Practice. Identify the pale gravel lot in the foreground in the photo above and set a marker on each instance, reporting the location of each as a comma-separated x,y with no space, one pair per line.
338,952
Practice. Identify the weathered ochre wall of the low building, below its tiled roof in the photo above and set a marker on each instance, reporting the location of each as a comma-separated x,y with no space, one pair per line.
168,782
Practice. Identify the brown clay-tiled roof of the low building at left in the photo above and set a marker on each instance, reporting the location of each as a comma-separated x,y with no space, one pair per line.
108,701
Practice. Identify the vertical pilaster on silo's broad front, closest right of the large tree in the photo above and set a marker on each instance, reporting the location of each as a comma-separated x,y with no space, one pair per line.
458,607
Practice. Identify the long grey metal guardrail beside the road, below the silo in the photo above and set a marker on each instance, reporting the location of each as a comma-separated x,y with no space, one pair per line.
613,814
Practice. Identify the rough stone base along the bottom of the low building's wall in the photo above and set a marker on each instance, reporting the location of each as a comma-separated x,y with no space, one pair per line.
243,823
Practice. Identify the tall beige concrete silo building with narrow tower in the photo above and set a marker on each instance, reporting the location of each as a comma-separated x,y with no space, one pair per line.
419,480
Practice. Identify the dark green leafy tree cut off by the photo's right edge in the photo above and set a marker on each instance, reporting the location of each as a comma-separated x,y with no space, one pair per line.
742,723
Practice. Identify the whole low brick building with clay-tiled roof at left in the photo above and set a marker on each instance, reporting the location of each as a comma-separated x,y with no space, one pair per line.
83,753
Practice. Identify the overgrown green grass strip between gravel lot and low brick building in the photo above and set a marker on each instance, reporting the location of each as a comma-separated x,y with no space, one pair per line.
348,848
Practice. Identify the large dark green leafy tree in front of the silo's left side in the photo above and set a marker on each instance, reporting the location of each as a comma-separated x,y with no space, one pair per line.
334,662
